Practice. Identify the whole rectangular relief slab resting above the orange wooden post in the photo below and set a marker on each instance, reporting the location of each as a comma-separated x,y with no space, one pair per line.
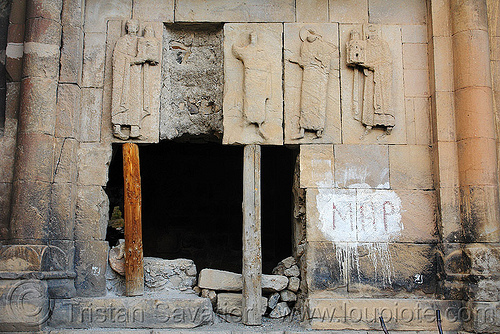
132,84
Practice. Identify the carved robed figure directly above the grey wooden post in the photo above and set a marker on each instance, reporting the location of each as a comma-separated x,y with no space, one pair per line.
256,81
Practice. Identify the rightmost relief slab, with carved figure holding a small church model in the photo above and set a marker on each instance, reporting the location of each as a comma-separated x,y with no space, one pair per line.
372,85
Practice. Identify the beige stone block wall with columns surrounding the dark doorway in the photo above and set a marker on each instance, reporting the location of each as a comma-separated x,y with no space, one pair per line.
399,207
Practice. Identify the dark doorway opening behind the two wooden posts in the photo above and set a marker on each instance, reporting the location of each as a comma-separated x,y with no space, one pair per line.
192,202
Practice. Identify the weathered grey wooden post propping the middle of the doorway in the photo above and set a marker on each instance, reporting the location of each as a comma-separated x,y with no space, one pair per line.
252,253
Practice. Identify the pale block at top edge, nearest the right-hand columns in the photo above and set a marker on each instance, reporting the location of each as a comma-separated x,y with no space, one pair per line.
397,12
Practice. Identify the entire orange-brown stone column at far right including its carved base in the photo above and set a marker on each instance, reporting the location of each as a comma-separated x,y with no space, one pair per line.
477,160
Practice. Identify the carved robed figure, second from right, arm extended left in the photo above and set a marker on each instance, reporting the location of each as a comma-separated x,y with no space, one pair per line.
315,60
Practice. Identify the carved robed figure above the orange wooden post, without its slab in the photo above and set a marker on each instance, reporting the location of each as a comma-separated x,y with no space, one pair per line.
132,83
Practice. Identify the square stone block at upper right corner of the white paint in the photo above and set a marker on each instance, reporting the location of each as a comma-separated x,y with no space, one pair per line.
411,167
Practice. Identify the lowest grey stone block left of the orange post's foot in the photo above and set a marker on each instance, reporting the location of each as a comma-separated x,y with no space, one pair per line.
90,266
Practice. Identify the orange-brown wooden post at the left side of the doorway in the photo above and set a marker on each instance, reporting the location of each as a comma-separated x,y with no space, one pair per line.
134,271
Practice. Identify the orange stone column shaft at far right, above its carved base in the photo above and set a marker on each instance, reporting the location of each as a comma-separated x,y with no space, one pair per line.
475,122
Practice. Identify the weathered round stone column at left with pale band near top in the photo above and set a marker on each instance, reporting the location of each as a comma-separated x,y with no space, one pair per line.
35,157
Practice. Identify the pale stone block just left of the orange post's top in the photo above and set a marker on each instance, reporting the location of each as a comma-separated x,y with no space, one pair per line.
93,163
